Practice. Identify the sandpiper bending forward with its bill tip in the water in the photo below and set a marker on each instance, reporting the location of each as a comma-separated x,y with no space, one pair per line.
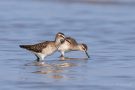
70,44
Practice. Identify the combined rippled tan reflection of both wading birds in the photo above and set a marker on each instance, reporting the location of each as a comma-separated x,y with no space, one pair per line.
58,68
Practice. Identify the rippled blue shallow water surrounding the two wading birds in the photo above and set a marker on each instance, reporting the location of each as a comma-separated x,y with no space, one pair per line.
107,29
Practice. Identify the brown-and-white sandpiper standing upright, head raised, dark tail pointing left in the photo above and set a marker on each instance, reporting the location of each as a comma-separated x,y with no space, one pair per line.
44,49
